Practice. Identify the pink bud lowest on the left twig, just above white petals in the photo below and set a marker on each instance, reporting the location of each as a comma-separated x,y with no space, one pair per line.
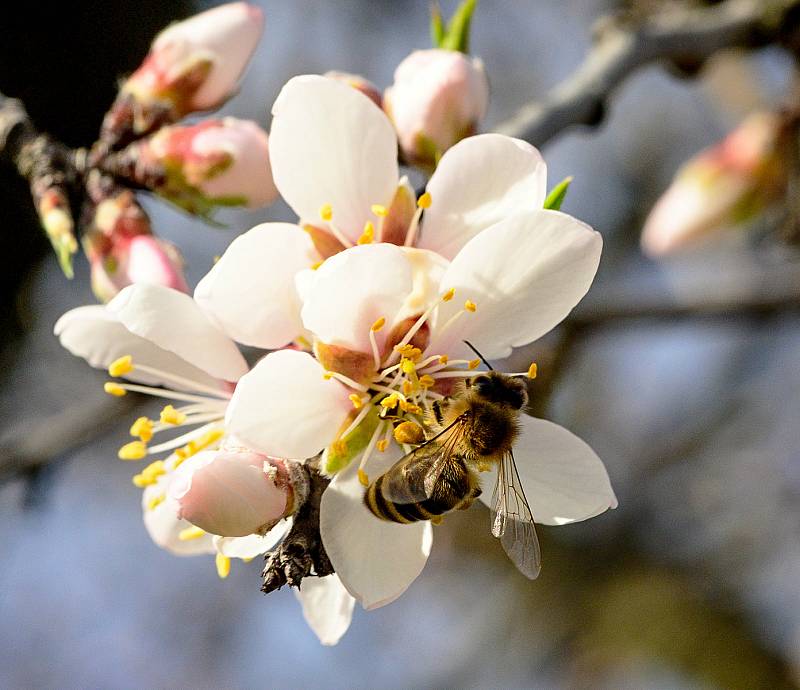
138,259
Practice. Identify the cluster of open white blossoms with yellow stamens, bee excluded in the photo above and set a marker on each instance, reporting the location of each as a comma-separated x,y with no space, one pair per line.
366,304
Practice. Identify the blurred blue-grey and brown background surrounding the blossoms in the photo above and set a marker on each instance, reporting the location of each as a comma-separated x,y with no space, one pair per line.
693,582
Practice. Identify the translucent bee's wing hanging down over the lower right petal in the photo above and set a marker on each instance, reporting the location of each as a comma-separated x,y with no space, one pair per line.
512,521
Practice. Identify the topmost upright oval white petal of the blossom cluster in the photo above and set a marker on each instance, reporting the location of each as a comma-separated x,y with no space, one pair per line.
329,144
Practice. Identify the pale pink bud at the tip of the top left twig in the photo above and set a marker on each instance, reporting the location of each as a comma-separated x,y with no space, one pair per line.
195,64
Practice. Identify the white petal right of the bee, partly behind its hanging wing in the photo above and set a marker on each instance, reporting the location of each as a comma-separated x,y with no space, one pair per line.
563,479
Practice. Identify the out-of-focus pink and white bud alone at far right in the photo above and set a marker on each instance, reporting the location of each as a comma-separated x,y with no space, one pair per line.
724,186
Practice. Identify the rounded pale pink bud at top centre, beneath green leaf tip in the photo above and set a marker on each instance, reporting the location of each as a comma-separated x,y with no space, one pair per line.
438,98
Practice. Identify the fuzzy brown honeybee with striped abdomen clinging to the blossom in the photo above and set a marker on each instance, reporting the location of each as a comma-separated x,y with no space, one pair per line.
471,431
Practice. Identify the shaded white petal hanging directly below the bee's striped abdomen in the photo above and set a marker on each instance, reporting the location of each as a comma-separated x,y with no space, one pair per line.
376,560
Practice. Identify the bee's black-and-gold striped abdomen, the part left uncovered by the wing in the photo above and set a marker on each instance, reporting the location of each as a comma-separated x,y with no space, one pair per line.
455,488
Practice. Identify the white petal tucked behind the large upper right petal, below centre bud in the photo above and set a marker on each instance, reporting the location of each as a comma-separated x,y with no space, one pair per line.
480,181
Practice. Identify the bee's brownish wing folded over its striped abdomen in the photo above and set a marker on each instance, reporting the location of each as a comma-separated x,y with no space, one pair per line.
413,477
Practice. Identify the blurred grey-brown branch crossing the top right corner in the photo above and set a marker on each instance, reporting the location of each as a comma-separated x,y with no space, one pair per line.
683,36
